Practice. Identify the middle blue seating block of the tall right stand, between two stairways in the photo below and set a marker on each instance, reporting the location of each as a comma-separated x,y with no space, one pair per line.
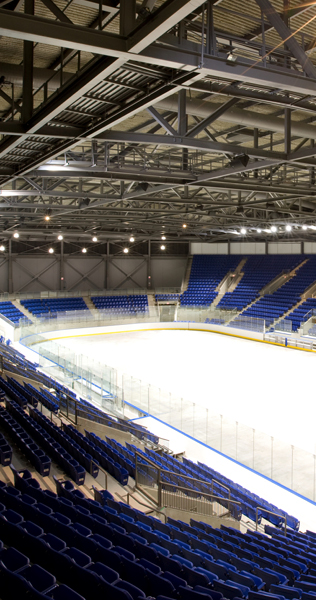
258,272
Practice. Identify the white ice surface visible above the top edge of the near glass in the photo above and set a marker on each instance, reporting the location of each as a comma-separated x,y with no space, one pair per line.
266,387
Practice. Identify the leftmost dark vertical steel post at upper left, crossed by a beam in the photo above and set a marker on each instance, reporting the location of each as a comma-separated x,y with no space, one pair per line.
27,106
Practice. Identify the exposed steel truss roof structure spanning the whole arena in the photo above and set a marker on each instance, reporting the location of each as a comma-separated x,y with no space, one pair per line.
139,117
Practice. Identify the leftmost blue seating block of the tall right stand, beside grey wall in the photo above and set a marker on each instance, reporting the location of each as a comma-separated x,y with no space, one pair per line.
207,272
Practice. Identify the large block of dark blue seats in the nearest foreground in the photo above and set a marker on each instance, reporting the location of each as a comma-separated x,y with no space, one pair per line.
105,549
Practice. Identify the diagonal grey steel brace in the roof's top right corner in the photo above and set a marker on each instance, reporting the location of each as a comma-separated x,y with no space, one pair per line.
280,26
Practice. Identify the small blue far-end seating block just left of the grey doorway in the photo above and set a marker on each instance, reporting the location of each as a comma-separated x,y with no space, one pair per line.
122,305
